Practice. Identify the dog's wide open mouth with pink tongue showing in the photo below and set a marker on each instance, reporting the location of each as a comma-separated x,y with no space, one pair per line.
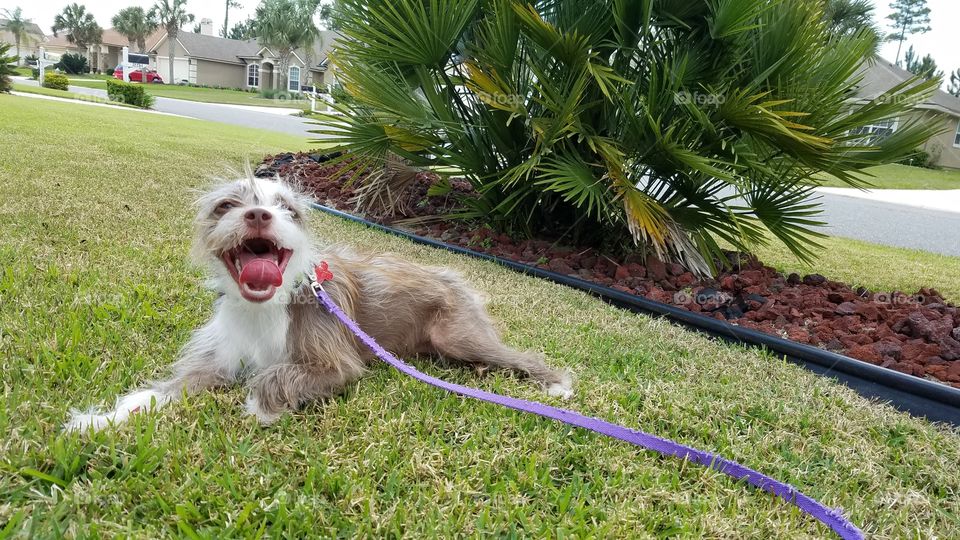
257,266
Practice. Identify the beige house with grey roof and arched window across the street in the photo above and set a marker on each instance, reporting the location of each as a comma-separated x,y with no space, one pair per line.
209,60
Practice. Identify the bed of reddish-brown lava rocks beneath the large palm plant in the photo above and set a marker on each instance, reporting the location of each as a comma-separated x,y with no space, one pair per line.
917,334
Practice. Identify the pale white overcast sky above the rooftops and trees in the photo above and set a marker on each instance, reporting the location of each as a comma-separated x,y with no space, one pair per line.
941,42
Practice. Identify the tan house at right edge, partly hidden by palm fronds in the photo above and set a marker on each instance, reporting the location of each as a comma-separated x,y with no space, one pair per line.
940,108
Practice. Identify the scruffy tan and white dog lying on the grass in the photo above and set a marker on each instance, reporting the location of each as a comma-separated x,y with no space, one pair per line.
269,330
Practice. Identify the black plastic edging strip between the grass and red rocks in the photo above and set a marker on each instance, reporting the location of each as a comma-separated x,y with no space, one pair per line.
917,396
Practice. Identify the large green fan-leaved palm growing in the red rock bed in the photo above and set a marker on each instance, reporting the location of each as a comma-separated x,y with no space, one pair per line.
671,125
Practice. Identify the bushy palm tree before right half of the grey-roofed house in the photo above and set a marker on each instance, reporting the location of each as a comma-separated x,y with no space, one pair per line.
285,26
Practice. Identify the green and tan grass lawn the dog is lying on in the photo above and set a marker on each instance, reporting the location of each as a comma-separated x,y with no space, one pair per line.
96,297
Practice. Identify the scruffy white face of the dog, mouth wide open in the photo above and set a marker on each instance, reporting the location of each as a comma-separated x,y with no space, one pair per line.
251,234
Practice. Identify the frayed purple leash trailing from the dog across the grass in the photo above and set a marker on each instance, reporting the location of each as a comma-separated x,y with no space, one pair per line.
832,518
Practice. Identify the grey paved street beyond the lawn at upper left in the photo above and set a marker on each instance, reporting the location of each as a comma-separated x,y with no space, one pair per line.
228,114
